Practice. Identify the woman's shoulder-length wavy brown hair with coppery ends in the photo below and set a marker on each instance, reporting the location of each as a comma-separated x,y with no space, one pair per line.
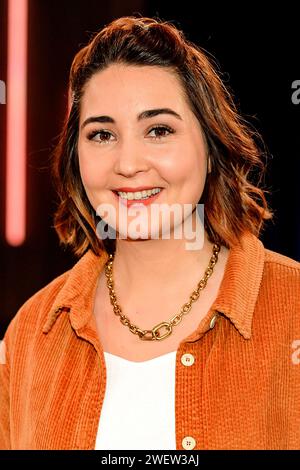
233,203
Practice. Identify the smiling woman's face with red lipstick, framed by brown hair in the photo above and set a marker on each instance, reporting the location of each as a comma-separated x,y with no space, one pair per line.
121,145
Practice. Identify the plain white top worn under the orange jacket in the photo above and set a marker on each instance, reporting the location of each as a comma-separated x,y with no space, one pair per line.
139,404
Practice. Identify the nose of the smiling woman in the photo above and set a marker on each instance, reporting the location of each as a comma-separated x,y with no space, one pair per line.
130,158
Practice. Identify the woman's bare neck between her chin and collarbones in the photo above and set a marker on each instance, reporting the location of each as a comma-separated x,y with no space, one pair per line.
147,266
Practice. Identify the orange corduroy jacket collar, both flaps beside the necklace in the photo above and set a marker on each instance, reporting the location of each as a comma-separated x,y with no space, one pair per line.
236,298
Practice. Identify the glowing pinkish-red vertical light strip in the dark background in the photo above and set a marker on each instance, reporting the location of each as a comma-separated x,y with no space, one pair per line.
16,104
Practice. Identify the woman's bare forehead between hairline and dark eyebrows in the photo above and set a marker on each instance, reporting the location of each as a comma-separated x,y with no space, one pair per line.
125,87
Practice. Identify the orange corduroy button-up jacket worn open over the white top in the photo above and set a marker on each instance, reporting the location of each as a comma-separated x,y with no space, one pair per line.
241,392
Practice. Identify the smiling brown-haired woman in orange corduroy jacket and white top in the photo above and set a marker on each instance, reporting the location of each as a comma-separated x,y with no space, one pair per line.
206,355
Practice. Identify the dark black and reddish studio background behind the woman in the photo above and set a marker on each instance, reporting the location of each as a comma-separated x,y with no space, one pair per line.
258,54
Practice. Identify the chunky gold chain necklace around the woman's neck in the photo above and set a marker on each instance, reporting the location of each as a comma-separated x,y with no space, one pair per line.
154,334
